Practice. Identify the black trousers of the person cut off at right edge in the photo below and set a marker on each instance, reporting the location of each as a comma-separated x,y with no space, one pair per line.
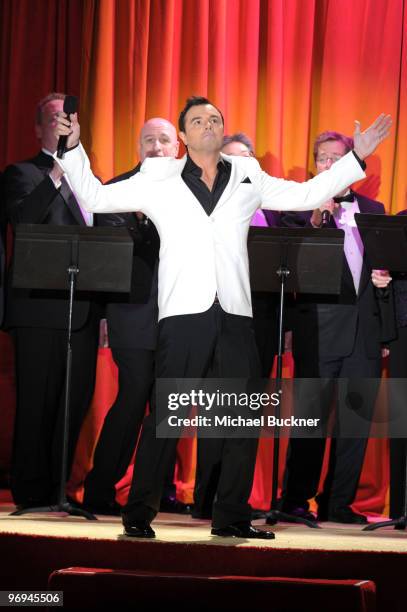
398,446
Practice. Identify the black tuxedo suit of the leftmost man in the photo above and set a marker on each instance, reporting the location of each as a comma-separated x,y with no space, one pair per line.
38,321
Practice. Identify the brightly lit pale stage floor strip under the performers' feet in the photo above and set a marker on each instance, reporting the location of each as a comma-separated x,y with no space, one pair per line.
174,528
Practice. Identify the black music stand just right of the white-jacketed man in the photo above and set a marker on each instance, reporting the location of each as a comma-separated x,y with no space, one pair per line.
301,260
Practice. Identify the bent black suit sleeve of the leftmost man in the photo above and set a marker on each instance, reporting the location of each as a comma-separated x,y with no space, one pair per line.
26,200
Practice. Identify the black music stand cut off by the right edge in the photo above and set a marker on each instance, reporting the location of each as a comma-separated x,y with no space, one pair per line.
385,241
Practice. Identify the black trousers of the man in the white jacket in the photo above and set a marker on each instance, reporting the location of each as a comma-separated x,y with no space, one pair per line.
191,346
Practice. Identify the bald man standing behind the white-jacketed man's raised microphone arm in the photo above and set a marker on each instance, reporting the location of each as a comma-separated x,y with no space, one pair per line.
132,329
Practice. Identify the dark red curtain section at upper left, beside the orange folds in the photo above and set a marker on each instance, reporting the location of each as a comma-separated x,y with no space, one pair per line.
40,52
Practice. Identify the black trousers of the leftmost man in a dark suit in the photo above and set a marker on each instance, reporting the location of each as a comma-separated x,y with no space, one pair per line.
40,360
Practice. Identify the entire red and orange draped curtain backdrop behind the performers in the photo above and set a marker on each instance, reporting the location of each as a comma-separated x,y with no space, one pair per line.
280,70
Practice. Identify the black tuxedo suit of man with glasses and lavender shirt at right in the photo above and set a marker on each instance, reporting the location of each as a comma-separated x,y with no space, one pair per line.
334,337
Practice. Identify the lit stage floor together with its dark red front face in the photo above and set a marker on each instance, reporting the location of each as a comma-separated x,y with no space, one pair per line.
35,545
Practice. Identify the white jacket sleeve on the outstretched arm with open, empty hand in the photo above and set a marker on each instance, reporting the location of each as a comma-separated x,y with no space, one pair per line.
279,194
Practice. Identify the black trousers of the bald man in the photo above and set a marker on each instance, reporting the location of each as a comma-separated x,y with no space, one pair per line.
121,427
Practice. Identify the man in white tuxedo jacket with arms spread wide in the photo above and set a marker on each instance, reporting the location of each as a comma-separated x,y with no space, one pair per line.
201,206
